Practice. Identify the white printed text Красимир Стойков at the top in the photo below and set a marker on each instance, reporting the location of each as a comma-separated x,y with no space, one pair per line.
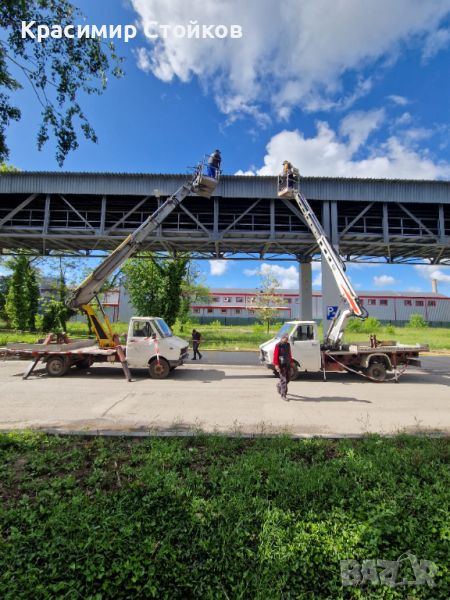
152,30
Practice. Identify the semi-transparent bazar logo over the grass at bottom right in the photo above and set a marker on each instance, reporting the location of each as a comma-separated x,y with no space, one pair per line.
407,570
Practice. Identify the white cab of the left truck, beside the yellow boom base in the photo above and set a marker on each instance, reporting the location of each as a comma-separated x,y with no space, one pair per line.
151,344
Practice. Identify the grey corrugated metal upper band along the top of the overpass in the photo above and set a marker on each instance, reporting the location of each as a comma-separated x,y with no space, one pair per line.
230,186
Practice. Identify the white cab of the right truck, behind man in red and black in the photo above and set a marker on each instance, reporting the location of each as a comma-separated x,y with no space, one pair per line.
305,346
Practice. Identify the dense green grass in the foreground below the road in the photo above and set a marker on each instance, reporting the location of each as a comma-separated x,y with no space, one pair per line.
215,518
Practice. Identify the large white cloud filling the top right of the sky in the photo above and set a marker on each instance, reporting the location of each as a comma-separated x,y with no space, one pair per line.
303,49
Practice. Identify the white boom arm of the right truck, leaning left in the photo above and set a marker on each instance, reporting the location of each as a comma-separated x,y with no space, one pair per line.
288,188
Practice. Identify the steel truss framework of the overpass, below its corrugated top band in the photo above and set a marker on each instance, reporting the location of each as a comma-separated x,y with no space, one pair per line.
46,222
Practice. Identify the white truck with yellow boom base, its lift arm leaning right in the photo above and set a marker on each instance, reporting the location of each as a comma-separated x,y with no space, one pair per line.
150,342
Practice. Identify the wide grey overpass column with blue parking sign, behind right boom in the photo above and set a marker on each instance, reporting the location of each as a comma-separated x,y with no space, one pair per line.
330,292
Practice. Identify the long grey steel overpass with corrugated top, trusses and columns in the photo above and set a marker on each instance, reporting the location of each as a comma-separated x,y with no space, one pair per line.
390,221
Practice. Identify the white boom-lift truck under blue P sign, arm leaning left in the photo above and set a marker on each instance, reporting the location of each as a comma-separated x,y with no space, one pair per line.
371,360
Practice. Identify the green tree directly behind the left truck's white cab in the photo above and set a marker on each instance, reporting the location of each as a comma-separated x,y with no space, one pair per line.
155,285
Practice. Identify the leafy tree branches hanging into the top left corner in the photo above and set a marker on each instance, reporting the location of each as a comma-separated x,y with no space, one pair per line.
58,71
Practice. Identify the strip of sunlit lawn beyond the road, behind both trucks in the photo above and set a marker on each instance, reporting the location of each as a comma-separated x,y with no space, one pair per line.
248,337
